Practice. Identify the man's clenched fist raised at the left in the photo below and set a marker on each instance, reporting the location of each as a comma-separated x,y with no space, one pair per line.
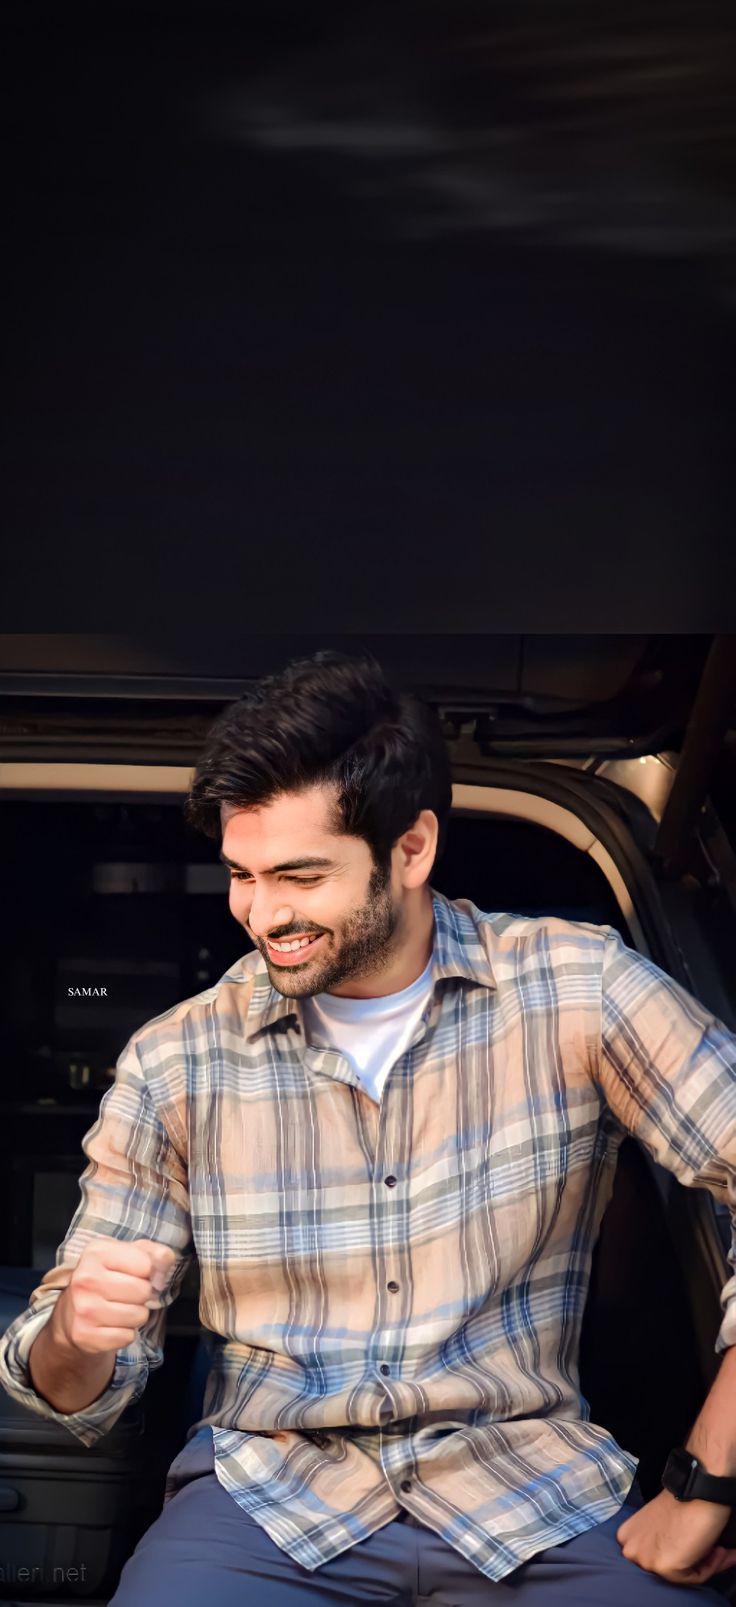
112,1293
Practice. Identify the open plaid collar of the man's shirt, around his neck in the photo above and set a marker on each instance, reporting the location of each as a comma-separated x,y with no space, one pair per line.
459,952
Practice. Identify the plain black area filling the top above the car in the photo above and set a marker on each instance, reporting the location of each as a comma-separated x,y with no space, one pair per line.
369,317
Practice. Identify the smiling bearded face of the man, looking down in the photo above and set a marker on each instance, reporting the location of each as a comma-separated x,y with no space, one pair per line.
343,902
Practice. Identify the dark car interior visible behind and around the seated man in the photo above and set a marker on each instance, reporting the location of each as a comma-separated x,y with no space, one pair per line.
123,891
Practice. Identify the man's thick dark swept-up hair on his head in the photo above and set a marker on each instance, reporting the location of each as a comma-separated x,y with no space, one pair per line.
330,719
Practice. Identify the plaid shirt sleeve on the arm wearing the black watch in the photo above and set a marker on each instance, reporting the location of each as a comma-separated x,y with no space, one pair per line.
668,1071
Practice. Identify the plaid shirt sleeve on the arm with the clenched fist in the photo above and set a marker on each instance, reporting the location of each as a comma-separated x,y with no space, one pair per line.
136,1187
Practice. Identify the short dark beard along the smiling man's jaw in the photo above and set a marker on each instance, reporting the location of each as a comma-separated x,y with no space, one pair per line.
369,946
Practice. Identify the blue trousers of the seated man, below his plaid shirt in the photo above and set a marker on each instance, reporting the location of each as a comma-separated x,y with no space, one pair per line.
205,1552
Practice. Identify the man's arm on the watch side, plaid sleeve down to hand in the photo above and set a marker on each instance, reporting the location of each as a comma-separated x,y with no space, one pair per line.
668,1069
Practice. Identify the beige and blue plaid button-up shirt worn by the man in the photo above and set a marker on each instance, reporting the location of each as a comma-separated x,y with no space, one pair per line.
399,1288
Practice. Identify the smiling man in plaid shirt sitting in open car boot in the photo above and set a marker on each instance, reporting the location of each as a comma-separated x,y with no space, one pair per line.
388,1135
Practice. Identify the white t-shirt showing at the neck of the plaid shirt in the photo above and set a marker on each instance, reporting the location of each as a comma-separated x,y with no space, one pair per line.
370,1032
